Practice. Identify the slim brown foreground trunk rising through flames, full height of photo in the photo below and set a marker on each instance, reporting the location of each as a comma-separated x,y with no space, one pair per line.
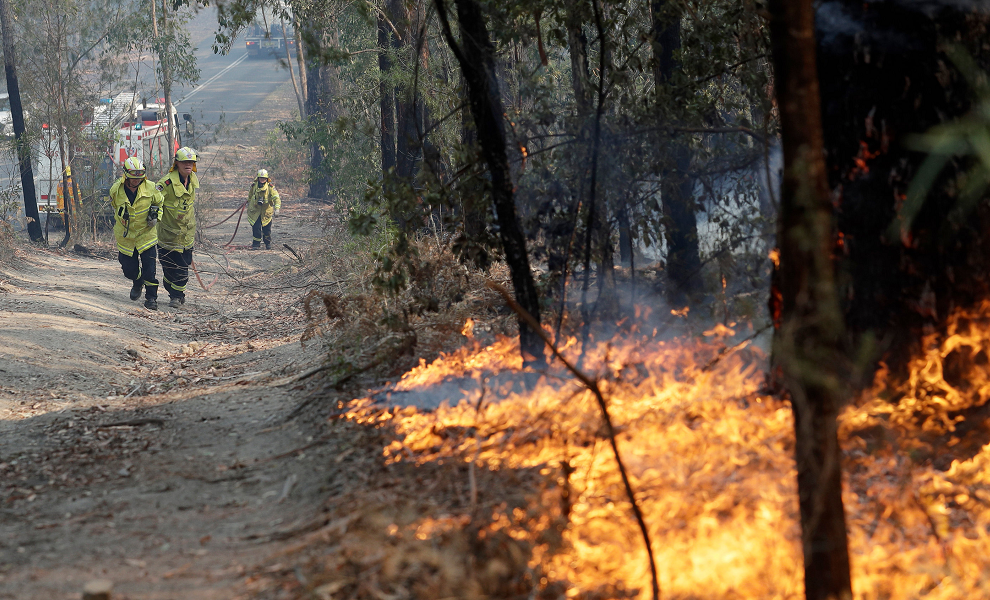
806,348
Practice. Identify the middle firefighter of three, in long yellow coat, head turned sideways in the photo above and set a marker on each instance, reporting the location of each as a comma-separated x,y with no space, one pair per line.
177,229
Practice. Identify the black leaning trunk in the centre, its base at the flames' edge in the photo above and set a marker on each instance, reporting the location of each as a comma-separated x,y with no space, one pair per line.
476,55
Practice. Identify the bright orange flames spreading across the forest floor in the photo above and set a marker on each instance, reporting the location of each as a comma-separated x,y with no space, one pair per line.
711,459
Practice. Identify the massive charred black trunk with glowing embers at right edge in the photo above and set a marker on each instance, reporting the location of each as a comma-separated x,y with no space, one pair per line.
900,280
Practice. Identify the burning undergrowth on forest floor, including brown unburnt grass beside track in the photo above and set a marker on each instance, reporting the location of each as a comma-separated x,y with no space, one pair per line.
513,490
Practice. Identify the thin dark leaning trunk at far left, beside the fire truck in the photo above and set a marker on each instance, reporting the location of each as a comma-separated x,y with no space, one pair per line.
17,112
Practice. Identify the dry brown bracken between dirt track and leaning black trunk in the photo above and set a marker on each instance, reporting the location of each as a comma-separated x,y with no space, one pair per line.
351,317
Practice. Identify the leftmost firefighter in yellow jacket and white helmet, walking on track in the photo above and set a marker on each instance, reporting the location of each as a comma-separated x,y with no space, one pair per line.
136,203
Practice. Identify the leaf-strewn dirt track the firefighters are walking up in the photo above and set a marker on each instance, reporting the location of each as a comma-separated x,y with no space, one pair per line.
150,448
